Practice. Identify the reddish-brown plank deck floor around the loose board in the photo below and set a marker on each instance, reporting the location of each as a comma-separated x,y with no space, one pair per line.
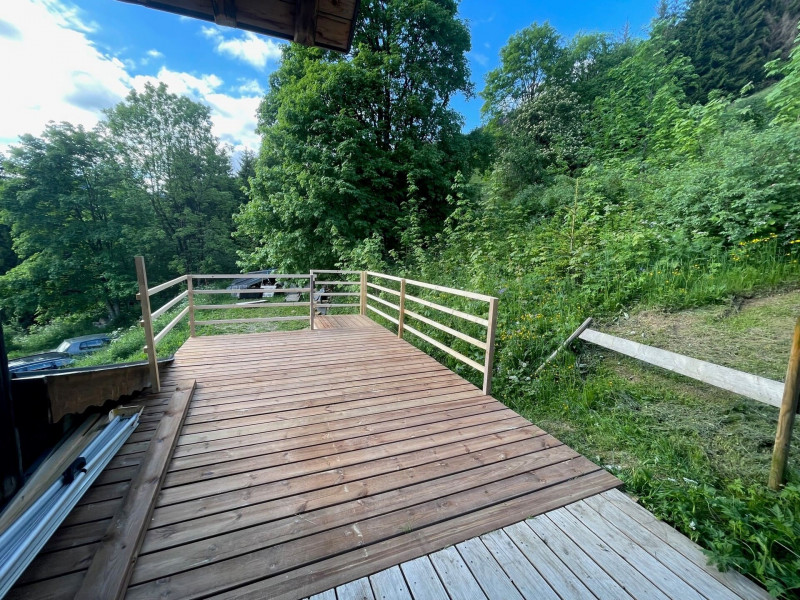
311,459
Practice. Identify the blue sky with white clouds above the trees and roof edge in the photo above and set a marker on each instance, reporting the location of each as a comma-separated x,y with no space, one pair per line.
68,60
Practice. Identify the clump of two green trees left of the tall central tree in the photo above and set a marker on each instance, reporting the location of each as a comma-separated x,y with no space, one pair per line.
77,205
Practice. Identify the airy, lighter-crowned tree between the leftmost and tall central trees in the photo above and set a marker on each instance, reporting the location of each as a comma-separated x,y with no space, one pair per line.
173,160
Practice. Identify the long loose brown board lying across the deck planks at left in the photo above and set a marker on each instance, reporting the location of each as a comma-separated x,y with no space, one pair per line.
112,564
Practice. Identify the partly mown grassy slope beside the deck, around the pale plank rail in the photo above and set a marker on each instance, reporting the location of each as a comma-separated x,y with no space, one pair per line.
696,456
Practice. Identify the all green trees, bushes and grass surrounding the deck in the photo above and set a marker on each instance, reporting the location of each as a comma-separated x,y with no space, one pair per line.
642,182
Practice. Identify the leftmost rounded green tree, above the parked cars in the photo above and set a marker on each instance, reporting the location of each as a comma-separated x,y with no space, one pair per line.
73,234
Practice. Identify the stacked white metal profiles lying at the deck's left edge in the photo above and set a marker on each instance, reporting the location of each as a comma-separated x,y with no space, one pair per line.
25,537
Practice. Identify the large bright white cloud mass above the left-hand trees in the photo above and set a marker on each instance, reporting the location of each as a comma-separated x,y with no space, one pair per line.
59,74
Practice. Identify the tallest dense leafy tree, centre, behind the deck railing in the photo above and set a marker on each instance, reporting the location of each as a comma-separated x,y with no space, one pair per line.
345,139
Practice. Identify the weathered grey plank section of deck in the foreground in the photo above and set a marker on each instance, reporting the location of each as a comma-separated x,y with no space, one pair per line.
605,547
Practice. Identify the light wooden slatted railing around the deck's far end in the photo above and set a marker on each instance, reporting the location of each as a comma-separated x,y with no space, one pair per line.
328,289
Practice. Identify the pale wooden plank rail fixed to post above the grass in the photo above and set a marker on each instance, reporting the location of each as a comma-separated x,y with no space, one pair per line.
751,386
